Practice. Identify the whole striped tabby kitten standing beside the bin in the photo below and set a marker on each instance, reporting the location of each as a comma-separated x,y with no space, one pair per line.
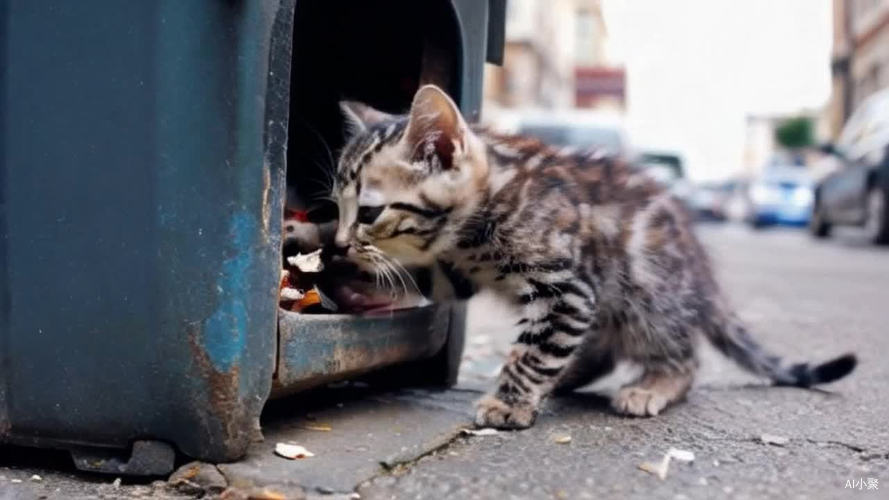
602,260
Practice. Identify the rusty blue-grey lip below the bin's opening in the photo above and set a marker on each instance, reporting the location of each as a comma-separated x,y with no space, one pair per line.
315,349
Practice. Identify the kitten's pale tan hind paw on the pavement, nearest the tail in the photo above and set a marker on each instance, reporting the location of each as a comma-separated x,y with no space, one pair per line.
651,394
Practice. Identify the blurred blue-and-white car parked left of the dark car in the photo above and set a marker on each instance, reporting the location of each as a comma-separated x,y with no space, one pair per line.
782,194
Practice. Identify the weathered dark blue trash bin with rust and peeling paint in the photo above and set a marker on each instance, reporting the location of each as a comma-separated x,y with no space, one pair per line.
146,151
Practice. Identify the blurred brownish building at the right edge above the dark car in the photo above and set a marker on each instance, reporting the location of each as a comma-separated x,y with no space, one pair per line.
860,59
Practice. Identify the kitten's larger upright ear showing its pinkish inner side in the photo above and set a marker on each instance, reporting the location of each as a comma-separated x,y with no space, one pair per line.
435,129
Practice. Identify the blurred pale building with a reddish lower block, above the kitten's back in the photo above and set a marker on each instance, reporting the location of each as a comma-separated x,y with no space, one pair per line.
555,57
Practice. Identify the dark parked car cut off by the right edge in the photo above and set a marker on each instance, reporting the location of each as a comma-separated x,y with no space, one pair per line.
856,193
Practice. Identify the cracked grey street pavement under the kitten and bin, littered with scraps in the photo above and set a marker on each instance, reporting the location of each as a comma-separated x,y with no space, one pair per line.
808,300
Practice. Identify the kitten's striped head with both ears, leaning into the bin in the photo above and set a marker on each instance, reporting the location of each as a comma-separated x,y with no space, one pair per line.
405,183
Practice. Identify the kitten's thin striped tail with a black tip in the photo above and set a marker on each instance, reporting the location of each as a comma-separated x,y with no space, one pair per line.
735,342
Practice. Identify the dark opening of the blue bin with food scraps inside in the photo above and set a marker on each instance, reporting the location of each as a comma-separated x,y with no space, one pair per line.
379,54
